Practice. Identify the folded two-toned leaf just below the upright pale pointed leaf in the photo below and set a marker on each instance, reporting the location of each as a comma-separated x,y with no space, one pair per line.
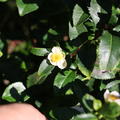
75,31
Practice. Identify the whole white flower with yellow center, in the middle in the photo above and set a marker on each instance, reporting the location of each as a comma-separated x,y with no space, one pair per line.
57,57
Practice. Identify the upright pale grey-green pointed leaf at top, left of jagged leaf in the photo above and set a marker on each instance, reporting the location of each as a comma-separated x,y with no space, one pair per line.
77,13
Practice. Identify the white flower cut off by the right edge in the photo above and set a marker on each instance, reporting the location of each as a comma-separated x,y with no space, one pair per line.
113,96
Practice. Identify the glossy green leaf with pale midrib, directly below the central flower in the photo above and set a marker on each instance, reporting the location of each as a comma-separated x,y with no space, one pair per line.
62,80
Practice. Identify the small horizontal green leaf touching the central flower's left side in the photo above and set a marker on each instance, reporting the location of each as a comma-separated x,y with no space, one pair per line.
39,51
